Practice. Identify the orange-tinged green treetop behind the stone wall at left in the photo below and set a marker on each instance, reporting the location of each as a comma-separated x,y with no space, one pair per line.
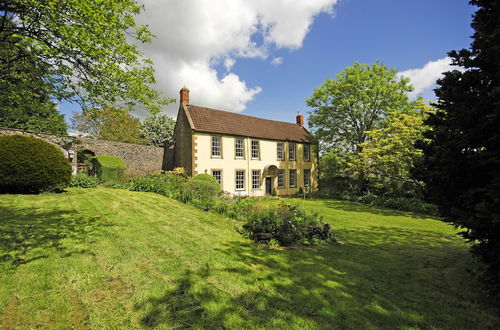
109,124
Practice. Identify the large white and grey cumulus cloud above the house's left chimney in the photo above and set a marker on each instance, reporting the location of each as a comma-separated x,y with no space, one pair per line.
195,36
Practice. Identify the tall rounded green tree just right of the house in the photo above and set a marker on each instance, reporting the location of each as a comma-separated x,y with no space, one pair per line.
360,98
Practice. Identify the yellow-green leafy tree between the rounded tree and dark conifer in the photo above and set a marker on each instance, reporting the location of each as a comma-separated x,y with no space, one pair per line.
390,152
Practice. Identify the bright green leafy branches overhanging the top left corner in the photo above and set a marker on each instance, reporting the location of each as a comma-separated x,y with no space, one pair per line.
83,48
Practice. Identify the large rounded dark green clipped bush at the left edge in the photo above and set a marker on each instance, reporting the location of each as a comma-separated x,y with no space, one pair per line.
31,165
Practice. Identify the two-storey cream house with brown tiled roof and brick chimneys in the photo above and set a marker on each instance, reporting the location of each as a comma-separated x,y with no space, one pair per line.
249,156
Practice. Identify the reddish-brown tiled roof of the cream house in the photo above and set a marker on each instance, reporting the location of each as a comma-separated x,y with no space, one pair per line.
224,122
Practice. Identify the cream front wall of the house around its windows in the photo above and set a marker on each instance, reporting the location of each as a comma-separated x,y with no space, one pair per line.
229,164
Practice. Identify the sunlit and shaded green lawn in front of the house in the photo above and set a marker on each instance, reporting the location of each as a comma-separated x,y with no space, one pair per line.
102,258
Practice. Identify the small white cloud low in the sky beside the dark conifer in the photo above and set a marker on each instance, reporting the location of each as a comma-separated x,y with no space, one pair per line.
425,78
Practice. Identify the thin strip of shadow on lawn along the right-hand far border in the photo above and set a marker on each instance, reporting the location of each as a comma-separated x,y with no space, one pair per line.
360,207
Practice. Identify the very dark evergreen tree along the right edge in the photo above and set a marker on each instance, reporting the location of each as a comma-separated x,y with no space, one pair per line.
461,165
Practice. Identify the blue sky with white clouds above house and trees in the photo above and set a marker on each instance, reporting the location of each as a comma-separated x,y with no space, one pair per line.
264,58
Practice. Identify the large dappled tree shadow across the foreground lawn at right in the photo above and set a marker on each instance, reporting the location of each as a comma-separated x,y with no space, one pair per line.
391,285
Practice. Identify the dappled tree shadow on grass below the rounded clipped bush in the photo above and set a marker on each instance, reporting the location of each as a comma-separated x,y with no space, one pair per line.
29,234
